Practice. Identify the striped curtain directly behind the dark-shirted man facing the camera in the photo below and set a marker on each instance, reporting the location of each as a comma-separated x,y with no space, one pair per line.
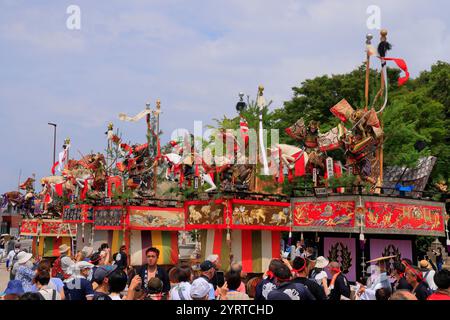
165,241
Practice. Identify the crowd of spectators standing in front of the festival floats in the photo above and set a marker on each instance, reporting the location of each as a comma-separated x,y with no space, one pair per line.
99,275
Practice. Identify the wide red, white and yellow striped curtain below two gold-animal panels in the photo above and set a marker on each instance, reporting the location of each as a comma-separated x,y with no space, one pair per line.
255,249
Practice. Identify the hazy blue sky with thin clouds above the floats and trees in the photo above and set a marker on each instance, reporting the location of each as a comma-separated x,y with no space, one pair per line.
193,55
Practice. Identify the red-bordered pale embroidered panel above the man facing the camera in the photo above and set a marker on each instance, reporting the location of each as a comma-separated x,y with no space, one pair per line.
155,218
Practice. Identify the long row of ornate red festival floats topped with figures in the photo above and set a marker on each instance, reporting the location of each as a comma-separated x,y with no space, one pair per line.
349,207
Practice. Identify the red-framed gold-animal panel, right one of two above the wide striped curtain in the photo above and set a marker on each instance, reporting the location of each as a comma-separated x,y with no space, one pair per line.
257,215
